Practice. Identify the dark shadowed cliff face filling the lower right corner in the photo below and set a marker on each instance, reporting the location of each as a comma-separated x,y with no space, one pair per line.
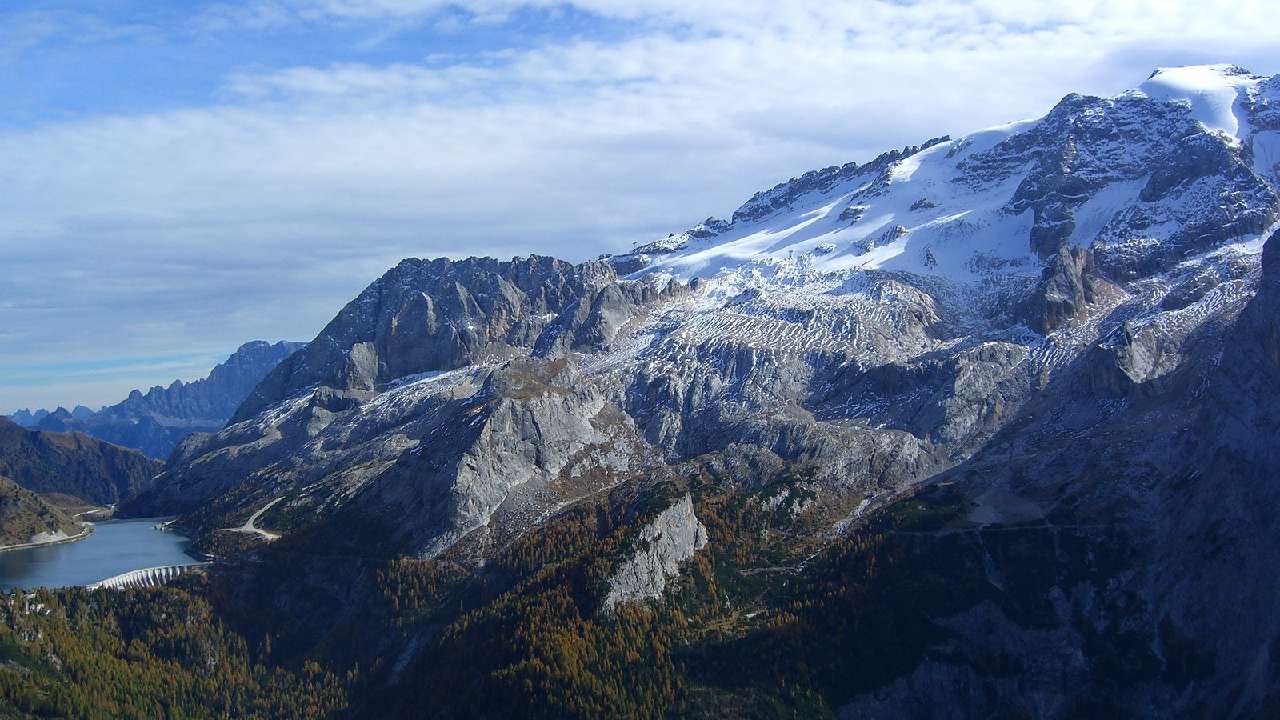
1146,514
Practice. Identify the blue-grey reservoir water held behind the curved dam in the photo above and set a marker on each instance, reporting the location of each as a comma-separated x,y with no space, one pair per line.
113,548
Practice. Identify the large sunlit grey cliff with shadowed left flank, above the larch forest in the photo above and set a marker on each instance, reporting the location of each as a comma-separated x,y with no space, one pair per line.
527,431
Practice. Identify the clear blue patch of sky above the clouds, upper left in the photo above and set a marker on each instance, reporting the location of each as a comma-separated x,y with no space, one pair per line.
132,57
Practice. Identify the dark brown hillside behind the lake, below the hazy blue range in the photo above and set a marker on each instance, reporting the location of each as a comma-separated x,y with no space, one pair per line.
74,464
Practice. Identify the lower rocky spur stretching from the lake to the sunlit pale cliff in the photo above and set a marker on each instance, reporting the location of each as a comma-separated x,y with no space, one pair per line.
481,449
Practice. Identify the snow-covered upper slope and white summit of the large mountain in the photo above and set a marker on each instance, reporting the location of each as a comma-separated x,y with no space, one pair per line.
1185,165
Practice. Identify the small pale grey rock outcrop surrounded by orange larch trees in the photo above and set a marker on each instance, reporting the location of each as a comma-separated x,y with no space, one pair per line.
662,546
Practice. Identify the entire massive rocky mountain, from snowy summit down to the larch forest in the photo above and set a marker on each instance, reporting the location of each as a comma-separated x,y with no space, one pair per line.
1037,364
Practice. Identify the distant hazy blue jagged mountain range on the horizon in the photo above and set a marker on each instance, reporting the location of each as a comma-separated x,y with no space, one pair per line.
157,422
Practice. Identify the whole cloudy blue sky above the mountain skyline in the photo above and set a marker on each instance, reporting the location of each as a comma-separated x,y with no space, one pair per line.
180,177
